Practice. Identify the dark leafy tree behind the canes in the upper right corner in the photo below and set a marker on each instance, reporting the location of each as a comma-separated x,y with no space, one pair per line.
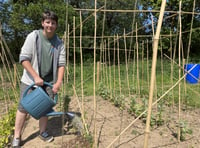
171,23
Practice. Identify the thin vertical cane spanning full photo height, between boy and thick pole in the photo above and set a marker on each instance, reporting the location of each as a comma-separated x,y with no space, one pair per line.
94,81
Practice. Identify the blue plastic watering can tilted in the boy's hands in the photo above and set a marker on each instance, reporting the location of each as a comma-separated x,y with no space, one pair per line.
38,103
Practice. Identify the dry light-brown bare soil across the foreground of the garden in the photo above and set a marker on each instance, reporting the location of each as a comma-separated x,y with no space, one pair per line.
110,122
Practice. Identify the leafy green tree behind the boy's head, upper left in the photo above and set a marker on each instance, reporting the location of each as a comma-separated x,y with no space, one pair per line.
20,17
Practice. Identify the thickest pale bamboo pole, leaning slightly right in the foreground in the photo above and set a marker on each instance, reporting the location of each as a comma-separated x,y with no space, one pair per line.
153,71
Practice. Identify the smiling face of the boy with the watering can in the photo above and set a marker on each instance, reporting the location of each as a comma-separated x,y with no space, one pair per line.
49,27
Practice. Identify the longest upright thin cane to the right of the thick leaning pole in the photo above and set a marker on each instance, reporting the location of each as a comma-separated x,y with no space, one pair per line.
179,64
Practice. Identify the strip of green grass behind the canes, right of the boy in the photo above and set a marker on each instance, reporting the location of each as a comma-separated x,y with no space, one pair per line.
189,92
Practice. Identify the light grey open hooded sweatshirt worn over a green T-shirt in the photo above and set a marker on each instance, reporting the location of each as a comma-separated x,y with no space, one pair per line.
31,51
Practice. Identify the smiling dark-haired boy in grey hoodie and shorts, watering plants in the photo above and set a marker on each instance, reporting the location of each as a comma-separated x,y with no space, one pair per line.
43,59
